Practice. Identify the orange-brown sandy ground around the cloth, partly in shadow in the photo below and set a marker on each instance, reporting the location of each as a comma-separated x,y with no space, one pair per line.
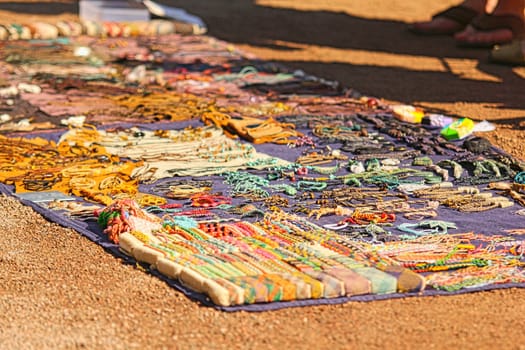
61,291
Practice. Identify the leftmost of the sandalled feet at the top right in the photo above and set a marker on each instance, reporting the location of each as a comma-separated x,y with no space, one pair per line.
460,15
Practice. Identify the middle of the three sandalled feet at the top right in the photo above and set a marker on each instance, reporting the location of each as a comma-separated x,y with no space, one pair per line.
488,23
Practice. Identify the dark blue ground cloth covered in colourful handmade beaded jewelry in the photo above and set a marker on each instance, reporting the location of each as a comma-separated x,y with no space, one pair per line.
248,185
